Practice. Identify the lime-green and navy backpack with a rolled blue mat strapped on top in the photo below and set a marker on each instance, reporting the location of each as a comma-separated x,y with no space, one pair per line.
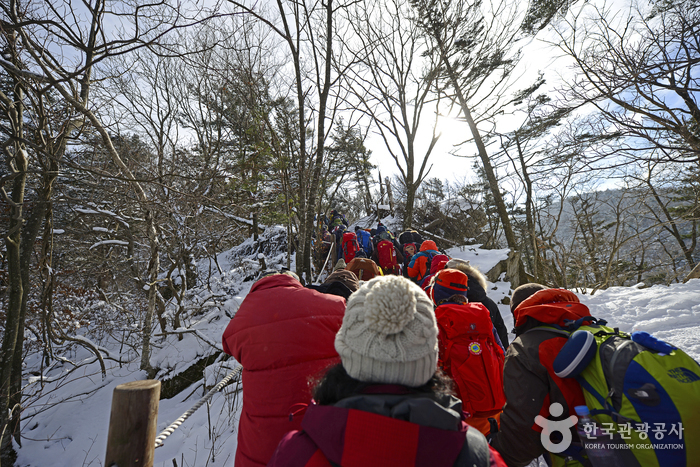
644,392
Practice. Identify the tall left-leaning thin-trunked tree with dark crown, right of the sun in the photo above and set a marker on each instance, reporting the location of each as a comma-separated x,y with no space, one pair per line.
475,44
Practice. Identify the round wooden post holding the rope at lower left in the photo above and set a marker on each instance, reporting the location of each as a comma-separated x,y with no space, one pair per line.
132,424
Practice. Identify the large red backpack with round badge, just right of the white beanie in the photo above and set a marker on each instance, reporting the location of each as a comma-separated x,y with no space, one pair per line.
470,354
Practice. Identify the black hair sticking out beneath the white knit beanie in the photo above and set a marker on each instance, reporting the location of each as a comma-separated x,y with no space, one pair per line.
337,385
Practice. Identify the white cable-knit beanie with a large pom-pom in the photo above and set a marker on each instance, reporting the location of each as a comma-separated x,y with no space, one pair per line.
389,333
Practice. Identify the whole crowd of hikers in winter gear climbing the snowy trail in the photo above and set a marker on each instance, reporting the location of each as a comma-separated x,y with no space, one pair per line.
412,366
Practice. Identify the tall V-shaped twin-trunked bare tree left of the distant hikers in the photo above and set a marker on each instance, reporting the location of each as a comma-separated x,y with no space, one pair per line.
310,33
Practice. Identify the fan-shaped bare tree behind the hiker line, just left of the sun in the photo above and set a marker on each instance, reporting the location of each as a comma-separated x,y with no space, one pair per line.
394,85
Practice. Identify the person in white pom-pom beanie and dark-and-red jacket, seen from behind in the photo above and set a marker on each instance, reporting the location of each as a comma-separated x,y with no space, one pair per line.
386,404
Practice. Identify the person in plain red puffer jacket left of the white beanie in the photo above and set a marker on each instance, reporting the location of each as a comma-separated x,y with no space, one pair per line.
282,334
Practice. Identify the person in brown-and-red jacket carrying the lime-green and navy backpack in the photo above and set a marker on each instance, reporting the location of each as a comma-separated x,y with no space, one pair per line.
530,385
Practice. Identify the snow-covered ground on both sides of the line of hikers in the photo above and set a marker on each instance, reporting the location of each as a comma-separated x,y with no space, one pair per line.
74,432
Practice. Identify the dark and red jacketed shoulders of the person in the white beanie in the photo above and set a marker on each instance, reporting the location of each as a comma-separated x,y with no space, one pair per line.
385,430
